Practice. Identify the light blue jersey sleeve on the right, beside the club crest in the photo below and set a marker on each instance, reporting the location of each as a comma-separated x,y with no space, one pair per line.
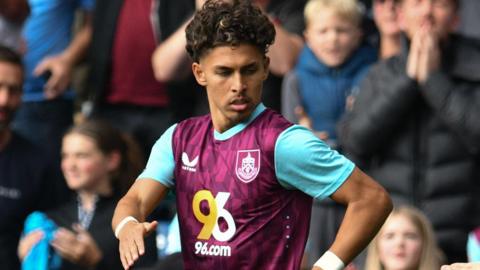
304,162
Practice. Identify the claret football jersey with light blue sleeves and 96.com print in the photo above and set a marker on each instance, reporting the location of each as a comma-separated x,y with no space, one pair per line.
244,196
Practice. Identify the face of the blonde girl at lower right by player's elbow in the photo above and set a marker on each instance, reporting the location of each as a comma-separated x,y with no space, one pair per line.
399,244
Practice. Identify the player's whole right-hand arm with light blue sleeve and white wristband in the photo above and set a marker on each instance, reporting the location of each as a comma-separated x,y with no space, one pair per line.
321,172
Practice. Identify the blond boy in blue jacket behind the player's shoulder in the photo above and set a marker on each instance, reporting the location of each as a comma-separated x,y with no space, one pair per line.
331,64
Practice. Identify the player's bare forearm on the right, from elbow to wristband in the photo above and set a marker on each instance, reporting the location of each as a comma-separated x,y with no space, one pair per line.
363,219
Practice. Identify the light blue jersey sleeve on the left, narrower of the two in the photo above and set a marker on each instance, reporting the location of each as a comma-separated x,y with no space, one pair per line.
161,164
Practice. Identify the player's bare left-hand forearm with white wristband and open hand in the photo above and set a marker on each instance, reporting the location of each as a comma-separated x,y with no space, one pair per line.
139,202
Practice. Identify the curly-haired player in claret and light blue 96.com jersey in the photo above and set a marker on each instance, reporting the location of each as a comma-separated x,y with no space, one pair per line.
243,199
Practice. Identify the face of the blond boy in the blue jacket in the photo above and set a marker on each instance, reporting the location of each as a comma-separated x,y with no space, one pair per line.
332,38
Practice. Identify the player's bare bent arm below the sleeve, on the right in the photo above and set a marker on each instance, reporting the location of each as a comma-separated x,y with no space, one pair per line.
368,205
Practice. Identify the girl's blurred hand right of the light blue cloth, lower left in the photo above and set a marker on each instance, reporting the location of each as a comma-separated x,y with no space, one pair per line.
77,247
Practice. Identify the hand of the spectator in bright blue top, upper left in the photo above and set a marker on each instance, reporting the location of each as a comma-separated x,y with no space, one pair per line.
61,72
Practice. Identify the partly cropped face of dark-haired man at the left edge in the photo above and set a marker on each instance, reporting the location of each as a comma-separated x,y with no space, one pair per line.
10,92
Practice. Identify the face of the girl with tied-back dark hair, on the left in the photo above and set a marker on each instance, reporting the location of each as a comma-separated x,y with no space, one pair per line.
84,166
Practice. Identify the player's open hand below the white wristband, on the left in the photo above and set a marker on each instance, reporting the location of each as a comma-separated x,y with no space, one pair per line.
132,245
